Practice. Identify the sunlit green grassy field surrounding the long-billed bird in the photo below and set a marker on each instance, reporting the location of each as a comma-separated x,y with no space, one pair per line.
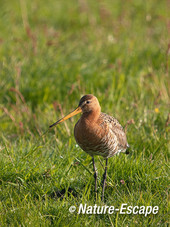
52,53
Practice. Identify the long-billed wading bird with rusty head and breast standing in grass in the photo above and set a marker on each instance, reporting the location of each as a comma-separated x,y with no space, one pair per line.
97,133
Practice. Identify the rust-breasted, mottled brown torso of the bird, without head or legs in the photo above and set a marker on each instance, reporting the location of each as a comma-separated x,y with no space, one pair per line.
103,136
